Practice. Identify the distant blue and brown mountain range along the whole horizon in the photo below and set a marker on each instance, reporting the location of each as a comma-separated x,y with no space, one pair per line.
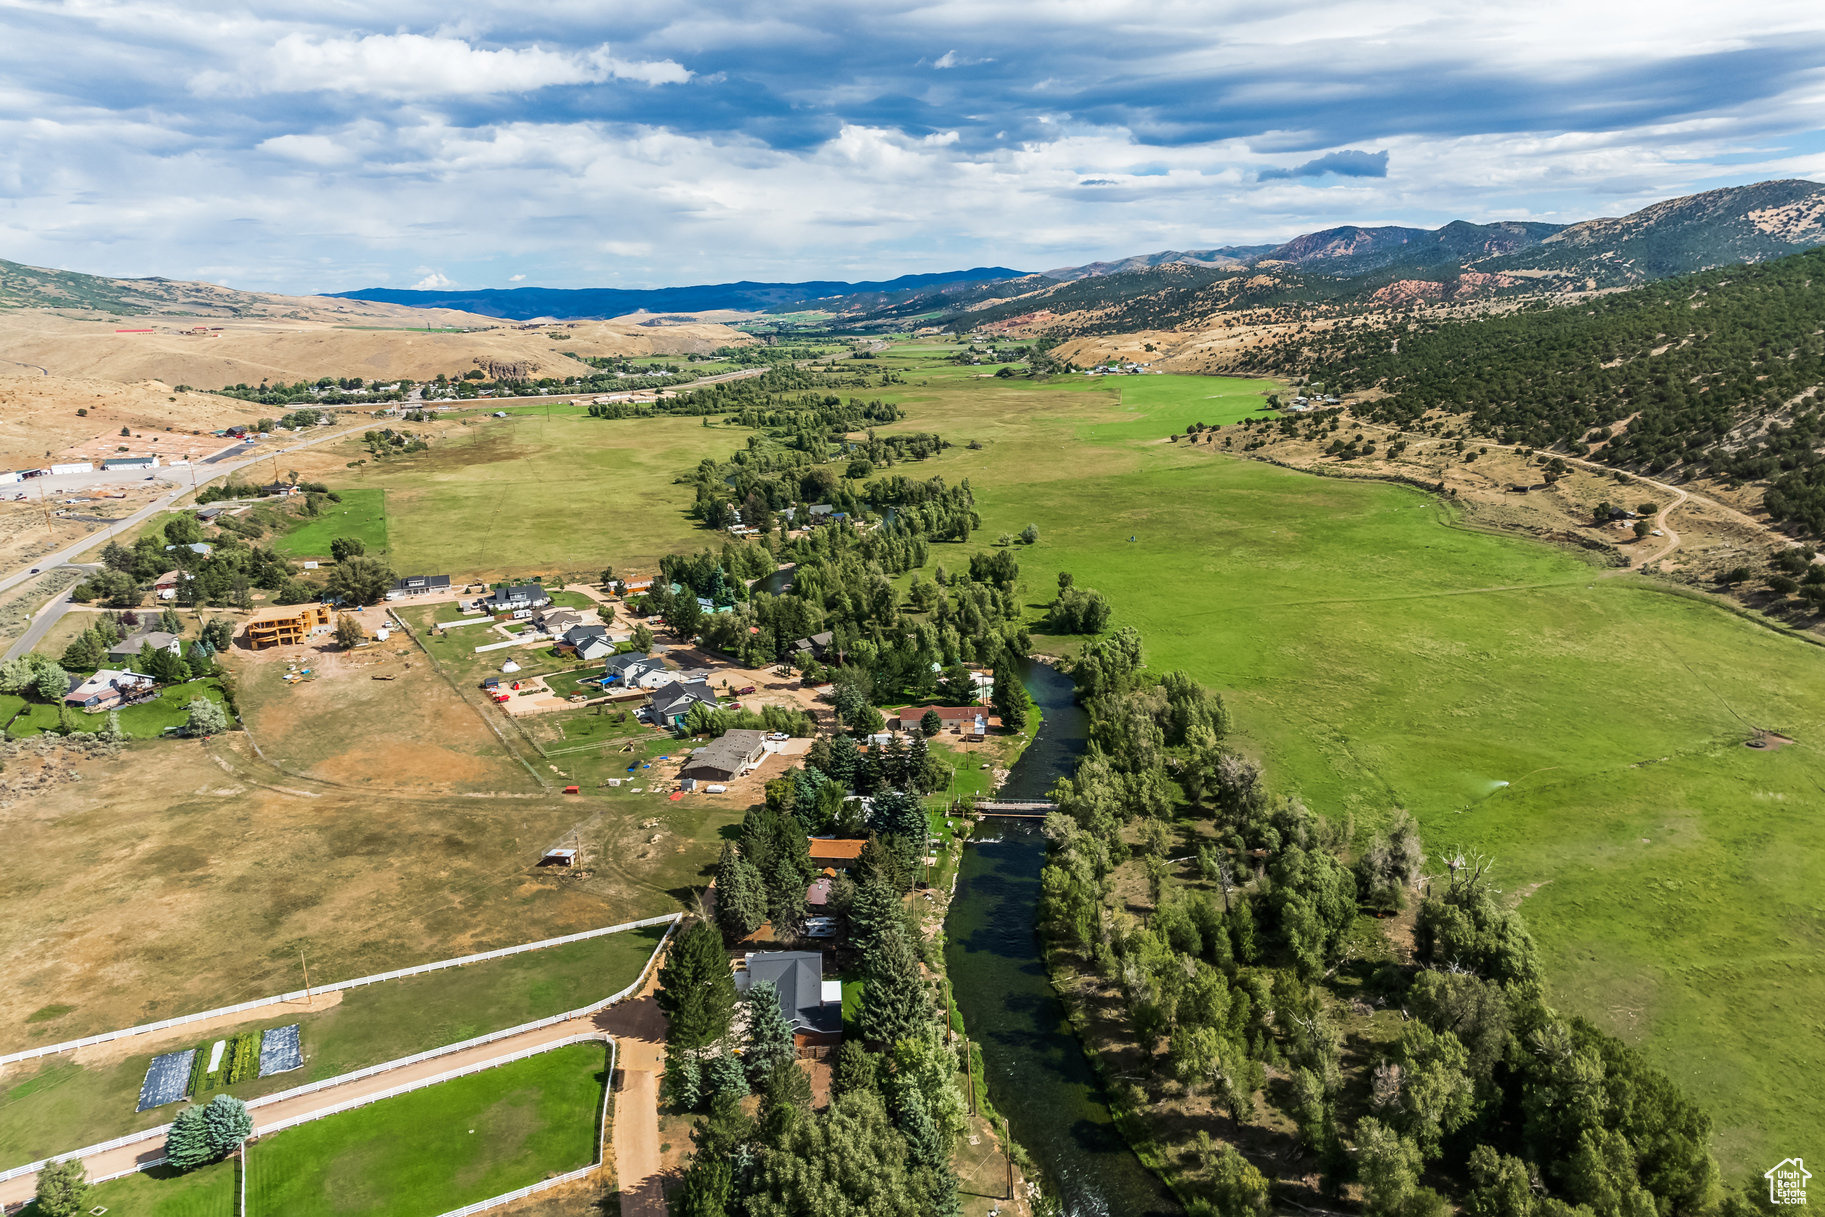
1348,265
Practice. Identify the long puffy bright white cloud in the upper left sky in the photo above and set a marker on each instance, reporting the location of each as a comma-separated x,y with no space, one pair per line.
422,67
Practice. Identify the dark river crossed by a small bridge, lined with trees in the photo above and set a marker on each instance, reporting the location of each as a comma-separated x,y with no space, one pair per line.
1036,1066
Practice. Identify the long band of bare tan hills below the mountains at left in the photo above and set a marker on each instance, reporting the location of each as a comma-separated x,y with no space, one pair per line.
306,344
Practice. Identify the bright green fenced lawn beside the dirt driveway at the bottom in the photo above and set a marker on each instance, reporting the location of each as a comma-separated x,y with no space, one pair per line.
437,1149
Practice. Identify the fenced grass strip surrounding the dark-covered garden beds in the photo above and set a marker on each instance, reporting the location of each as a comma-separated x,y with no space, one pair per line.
89,1097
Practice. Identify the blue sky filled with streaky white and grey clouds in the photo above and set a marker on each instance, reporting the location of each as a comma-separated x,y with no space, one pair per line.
326,145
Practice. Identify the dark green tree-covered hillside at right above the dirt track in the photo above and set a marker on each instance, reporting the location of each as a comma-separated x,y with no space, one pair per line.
1707,375
